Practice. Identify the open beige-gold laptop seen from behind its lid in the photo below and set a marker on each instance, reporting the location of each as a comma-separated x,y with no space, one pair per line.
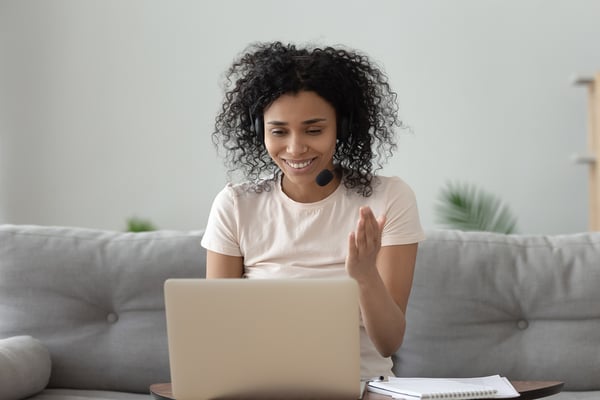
263,338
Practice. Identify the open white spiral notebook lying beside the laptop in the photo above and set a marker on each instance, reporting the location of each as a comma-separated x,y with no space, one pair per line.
488,387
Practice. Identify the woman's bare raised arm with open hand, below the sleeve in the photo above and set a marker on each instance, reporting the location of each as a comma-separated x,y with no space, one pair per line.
384,276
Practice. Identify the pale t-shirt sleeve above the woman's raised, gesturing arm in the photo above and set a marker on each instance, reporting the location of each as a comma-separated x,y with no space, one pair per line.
403,225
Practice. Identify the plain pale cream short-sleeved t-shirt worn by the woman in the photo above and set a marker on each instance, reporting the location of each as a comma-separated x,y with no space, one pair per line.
281,238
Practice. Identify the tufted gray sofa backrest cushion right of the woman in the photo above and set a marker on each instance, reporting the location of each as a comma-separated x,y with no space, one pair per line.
524,306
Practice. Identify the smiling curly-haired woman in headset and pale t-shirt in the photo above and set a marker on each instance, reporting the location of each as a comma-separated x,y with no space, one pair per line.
307,128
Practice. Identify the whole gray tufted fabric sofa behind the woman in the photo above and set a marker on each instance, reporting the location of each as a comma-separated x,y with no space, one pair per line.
81,311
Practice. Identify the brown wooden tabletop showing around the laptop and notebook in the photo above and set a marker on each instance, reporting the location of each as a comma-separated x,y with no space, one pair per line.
528,389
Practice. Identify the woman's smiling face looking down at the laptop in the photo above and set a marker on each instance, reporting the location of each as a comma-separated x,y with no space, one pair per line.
300,136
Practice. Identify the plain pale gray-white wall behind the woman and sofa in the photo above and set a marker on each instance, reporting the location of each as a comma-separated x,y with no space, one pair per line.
106,107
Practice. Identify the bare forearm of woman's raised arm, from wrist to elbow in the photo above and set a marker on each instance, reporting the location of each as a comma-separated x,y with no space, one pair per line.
384,320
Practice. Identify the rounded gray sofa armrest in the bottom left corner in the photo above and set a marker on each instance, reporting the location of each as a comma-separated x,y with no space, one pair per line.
24,367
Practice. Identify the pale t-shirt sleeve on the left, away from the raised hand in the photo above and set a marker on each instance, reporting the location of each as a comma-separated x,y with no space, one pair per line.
221,233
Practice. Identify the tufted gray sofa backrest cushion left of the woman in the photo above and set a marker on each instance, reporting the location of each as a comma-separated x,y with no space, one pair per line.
94,298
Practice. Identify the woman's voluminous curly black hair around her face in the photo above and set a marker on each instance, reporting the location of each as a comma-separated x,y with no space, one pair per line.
356,88
